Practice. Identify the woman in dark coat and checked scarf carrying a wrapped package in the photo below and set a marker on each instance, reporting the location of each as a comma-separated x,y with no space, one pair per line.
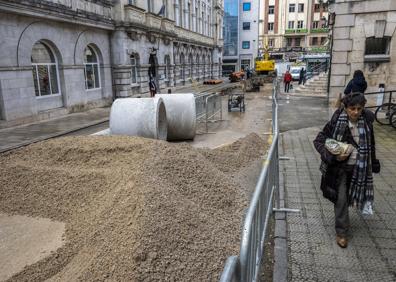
347,175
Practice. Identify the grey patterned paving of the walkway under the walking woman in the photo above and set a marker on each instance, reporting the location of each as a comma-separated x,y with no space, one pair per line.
313,254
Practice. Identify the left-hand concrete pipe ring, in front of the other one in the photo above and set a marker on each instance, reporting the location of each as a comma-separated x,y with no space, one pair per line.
144,117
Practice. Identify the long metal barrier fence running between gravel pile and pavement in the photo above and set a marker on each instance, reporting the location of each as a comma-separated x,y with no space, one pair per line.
255,229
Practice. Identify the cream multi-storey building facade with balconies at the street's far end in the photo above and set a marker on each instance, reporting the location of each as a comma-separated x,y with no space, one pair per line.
289,27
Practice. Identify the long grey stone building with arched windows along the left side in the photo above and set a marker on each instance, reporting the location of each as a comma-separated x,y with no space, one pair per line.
60,56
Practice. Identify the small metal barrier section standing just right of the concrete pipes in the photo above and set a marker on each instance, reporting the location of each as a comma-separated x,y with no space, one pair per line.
208,106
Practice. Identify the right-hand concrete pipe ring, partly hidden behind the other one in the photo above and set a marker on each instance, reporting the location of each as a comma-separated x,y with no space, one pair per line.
181,116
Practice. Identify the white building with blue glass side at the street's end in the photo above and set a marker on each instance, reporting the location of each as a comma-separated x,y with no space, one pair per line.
240,32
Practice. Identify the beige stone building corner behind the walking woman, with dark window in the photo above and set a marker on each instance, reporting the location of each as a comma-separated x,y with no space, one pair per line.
363,38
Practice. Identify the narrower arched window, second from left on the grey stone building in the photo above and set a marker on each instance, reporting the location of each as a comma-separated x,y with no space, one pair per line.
91,69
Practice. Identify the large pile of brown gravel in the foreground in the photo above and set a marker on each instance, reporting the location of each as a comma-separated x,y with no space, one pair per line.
135,209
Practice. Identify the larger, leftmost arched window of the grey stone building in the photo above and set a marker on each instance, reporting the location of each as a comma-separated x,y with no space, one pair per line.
45,70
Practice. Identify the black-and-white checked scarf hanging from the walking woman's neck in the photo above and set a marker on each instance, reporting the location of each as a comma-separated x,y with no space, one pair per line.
361,189
